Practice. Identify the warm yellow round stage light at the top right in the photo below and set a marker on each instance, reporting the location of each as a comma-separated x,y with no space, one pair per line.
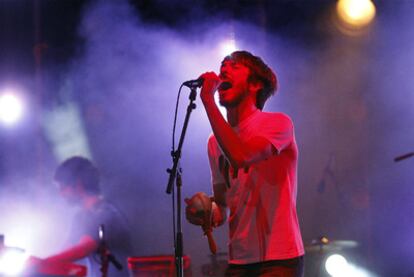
356,13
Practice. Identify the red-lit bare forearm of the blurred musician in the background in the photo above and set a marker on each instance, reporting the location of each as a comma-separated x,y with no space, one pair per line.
85,247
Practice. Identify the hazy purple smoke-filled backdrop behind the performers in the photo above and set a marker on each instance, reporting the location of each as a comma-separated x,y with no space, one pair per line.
117,66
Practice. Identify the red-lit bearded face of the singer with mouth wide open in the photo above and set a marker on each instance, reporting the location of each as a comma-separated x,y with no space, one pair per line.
237,75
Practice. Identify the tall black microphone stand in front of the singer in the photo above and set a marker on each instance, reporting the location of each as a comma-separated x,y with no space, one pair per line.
176,175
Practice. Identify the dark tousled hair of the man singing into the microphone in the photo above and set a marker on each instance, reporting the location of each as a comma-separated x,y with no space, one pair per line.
259,72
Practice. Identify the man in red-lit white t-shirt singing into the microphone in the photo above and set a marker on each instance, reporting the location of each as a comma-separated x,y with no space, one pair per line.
253,159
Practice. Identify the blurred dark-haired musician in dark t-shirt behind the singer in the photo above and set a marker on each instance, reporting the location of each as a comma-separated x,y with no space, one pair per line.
78,181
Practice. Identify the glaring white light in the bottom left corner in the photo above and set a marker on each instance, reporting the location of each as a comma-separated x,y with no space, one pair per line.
12,261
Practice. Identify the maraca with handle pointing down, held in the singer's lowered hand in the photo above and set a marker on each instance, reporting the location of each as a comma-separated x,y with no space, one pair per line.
200,206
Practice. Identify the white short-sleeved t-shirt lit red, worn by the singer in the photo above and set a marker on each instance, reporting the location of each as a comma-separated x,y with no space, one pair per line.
263,223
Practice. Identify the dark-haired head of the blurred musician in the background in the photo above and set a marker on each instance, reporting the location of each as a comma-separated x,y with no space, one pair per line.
77,178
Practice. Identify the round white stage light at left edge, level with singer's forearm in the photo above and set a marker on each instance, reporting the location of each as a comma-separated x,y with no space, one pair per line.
11,108
